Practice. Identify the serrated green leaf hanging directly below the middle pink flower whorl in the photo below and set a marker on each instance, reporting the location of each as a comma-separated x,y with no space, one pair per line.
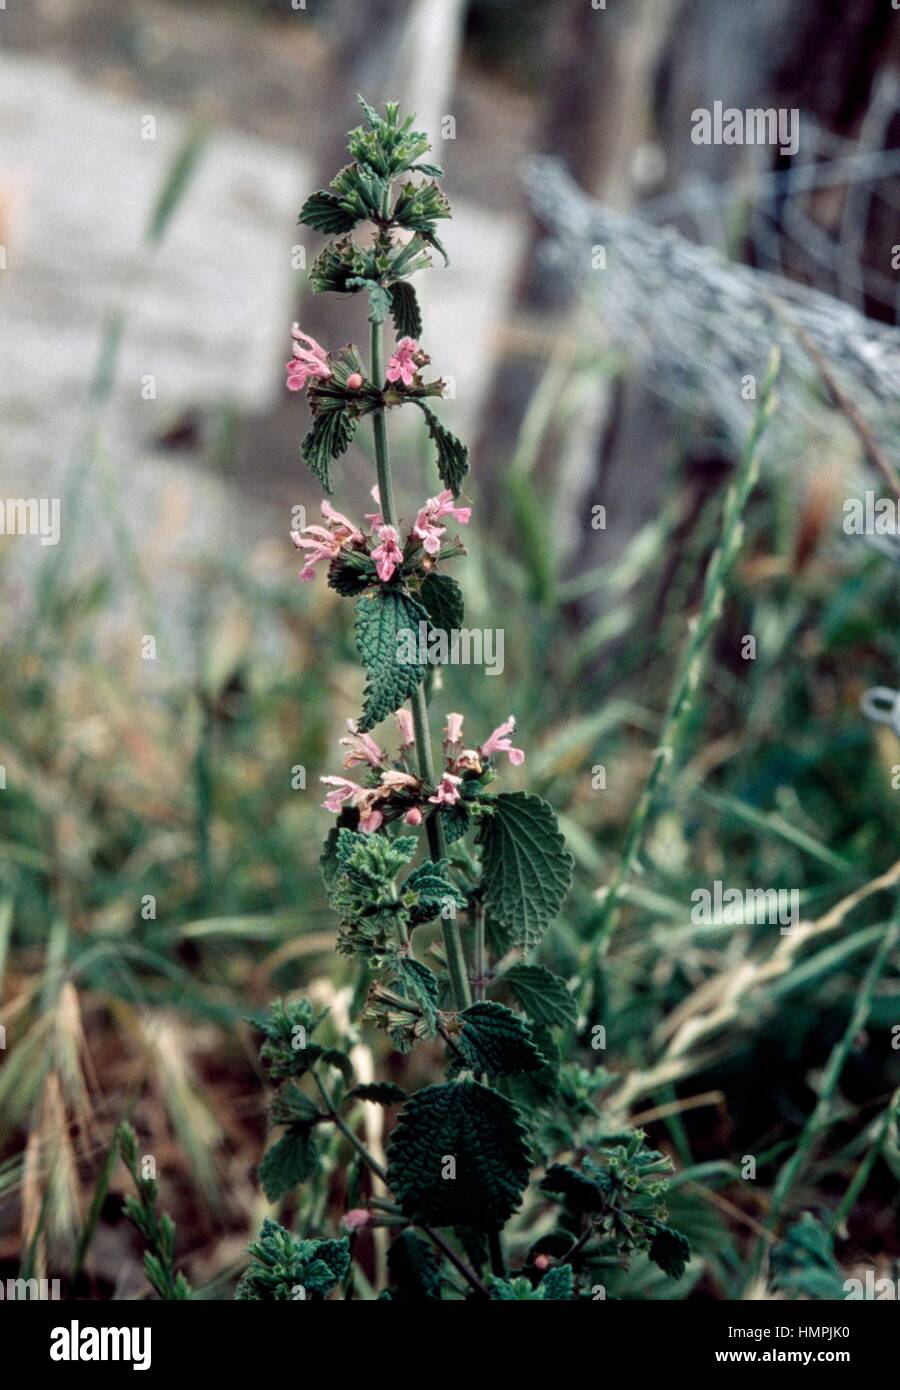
382,622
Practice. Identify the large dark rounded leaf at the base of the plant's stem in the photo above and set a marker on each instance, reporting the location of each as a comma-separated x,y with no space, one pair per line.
482,1134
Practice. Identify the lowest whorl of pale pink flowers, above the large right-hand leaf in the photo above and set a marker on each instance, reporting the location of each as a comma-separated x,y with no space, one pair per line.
396,792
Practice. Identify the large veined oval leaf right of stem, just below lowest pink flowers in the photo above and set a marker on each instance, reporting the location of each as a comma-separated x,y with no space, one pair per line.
527,867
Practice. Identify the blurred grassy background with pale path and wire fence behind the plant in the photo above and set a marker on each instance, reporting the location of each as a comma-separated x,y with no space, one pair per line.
170,694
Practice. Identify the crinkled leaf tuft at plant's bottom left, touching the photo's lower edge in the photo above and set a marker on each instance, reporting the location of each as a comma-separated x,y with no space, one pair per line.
286,1268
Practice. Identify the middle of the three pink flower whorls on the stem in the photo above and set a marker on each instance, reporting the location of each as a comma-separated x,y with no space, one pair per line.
383,544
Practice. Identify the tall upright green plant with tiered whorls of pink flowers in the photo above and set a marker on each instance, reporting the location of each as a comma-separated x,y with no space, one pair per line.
496,874
